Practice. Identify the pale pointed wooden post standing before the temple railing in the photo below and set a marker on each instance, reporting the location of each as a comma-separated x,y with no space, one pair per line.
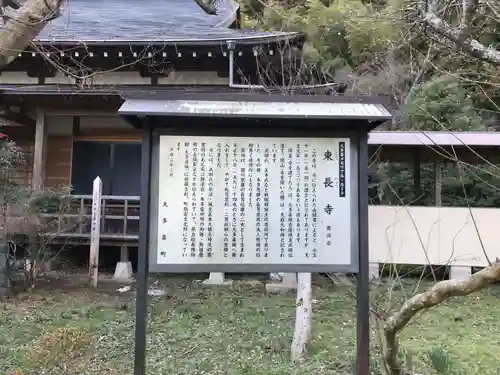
95,232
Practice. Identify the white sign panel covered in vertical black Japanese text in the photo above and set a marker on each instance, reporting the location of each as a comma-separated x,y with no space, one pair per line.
240,200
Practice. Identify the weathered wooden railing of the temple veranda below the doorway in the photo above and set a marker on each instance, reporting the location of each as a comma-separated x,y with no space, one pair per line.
119,219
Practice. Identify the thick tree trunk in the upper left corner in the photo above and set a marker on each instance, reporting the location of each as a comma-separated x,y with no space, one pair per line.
23,25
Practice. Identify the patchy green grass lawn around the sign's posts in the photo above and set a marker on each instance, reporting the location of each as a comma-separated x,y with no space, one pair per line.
66,329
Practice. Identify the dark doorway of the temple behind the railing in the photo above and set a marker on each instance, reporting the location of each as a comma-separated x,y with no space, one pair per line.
118,164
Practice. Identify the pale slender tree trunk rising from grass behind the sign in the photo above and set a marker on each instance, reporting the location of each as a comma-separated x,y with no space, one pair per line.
303,318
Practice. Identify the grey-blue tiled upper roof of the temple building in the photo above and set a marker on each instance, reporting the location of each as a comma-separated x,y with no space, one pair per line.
160,21
